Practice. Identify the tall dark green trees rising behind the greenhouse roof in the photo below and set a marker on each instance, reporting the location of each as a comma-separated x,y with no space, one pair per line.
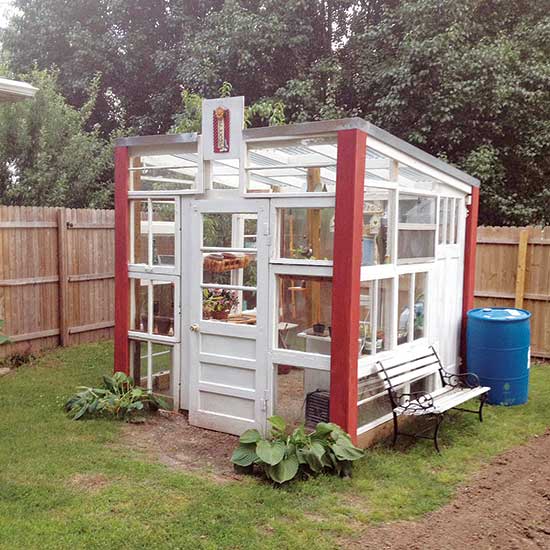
467,81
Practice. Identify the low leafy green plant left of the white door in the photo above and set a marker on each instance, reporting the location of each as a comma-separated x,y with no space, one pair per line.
118,397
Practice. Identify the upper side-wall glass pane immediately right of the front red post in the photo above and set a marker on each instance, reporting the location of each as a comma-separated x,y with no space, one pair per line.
377,226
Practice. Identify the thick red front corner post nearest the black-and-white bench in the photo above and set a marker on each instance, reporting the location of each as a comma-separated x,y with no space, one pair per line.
346,286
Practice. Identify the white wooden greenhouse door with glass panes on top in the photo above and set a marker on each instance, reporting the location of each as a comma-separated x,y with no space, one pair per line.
228,358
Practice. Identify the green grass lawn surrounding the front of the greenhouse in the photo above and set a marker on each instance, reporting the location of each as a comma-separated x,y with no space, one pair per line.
141,504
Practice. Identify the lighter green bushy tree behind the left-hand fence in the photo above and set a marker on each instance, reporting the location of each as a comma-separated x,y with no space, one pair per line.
47,158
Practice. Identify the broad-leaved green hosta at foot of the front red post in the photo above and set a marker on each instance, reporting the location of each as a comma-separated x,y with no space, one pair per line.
283,456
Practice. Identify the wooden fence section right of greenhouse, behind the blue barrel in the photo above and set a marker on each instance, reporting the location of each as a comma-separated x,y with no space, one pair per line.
513,269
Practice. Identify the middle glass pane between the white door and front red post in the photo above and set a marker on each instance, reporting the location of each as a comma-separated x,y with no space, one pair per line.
305,309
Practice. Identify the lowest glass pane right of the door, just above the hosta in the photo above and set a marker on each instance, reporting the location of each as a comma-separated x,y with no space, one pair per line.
301,395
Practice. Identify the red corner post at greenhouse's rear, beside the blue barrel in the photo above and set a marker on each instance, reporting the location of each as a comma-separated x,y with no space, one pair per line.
469,269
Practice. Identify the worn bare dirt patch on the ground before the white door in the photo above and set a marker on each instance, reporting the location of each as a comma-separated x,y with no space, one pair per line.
172,441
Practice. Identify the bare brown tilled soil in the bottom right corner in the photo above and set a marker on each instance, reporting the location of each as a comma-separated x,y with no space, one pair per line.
506,506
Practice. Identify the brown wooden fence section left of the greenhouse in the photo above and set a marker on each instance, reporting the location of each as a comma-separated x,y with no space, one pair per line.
56,276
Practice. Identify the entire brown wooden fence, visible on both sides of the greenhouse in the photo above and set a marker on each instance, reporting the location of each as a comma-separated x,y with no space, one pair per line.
57,279
